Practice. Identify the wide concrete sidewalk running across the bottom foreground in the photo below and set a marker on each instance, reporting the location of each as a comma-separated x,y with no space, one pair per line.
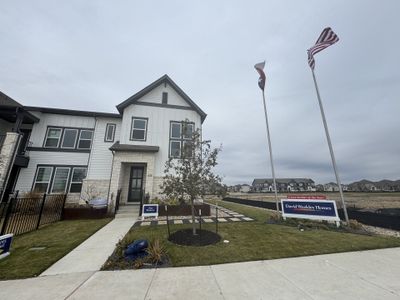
354,275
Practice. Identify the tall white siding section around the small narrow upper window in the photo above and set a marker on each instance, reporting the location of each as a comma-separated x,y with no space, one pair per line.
100,156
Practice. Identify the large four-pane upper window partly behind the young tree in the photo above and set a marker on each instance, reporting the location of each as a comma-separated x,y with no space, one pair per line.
179,139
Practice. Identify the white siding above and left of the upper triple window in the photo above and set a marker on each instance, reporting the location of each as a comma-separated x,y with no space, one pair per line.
39,129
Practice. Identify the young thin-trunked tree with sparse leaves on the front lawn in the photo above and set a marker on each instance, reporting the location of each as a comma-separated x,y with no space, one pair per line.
188,172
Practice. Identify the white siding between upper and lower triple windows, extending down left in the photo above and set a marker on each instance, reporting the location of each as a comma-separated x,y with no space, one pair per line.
26,175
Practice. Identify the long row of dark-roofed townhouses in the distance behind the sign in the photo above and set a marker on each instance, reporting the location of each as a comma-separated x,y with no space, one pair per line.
283,185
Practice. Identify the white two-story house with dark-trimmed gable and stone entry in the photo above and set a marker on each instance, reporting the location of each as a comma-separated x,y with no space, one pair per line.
95,154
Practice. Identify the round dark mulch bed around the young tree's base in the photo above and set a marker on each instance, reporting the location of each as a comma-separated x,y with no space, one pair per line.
185,237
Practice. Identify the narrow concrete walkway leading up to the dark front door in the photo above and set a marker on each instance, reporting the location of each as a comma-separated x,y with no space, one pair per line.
92,253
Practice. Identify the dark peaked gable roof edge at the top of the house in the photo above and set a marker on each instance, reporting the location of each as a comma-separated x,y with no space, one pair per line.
164,79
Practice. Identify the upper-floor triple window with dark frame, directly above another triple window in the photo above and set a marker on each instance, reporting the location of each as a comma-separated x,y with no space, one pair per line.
68,138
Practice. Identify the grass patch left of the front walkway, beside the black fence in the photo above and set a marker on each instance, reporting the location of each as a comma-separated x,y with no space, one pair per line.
58,238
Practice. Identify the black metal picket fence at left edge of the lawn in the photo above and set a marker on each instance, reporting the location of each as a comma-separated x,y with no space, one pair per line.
24,214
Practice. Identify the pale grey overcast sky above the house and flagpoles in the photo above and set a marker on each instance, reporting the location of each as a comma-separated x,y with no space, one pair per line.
92,55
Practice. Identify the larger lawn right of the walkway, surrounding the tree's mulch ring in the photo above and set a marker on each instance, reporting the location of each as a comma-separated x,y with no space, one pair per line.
253,241
